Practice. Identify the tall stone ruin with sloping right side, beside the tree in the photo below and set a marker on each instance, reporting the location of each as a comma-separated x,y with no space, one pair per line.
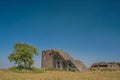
55,58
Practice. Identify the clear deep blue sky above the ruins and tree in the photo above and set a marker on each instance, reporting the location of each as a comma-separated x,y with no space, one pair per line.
89,30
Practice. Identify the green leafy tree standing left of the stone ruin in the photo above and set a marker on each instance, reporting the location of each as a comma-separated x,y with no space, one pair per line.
22,55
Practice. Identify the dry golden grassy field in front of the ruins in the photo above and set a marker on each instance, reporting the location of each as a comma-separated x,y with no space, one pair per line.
60,75
